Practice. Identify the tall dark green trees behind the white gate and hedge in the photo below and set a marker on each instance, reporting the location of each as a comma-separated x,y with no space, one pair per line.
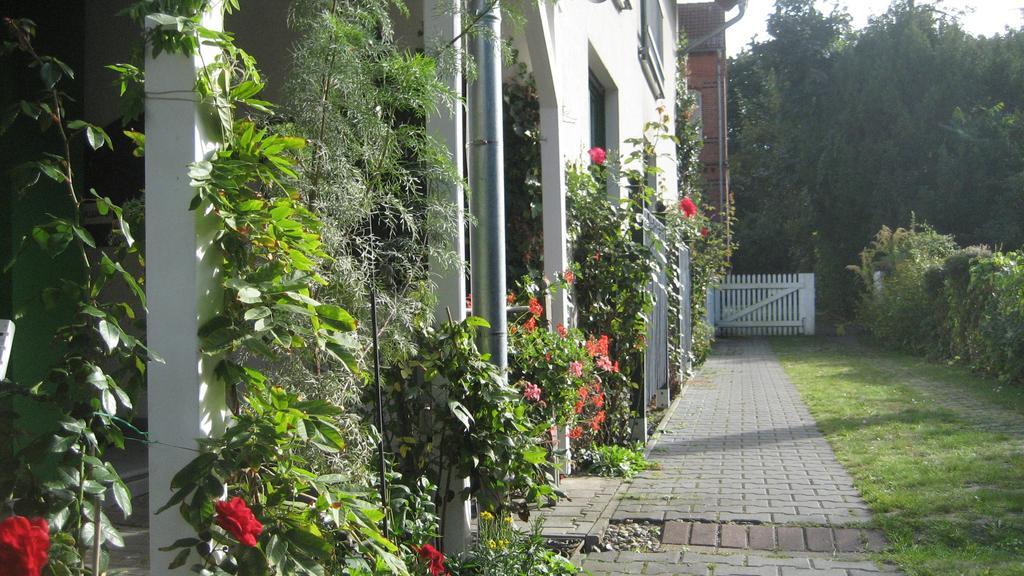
836,134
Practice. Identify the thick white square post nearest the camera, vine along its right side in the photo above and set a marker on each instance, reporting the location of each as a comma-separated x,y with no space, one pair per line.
186,402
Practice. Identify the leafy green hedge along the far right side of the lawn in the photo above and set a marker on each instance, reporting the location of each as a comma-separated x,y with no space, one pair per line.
959,305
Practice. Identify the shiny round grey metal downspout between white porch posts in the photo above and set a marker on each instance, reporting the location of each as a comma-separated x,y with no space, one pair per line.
487,181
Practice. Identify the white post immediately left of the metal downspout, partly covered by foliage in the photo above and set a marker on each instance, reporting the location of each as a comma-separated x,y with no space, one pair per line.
446,126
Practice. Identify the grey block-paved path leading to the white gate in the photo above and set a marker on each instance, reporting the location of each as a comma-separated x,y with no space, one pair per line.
744,467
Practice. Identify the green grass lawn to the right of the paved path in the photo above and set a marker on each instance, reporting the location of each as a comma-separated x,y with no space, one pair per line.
936,451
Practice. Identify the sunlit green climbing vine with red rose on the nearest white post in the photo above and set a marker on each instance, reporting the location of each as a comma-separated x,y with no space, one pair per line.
286,512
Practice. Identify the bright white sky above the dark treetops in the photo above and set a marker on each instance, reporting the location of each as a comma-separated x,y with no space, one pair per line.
984,18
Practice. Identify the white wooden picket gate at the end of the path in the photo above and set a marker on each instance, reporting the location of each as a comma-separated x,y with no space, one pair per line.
763,305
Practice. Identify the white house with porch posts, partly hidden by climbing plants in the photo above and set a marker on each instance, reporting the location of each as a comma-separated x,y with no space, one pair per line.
603,71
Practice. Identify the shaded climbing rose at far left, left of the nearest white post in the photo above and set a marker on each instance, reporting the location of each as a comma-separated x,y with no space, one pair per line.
56,433
